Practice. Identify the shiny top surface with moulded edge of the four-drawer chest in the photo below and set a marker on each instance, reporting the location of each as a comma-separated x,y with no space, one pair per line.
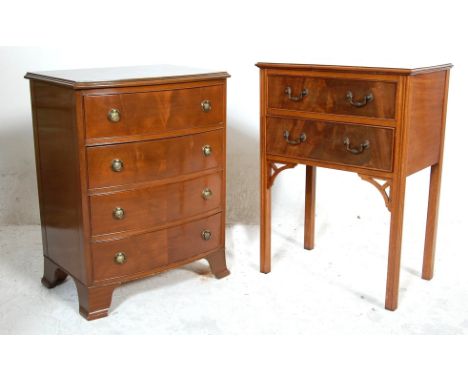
125,76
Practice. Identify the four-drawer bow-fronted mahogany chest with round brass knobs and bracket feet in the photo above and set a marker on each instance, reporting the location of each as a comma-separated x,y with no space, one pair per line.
131,174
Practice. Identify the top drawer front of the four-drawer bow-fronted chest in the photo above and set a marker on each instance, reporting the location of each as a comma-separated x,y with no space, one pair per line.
152,112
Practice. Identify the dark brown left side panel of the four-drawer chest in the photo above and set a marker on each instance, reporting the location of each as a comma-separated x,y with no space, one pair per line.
57,156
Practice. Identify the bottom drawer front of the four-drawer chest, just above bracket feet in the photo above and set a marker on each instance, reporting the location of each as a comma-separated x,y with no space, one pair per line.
147,252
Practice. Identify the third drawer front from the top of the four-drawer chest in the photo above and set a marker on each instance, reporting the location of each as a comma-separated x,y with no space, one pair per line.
153,206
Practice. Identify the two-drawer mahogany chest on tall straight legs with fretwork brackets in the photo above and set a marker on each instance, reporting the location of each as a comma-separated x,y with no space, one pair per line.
383,124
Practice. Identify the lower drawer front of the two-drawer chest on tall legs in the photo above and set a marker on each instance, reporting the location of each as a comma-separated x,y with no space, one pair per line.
342,144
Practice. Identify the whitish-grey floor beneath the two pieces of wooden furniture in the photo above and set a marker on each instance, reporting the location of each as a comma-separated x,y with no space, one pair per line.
337,288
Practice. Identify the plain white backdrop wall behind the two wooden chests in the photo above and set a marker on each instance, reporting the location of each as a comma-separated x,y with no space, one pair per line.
233,36
